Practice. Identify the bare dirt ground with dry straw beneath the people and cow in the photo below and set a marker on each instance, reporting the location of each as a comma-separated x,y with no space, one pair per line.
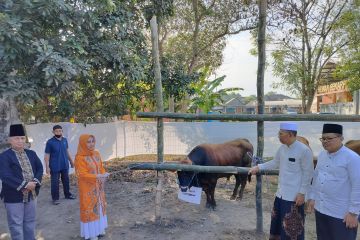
131,201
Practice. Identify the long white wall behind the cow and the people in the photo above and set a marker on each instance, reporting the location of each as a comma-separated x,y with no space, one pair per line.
119,139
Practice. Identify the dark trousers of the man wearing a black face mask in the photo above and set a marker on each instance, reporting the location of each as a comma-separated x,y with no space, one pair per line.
64,174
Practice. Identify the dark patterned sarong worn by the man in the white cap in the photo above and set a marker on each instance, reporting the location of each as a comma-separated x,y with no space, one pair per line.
287,220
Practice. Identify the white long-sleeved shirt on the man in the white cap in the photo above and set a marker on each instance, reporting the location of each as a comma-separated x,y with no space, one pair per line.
295,164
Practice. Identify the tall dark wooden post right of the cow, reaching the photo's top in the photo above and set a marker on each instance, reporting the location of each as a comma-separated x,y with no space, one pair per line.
260,99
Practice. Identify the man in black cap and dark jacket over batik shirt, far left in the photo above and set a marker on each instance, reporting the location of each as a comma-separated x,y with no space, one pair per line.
21,173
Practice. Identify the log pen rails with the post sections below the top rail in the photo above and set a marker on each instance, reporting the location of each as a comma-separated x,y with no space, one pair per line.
159,166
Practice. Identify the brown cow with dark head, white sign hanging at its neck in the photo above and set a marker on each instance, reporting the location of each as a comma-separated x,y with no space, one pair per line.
232,153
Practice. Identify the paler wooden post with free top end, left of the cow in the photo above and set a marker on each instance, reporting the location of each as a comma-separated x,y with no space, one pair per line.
159,108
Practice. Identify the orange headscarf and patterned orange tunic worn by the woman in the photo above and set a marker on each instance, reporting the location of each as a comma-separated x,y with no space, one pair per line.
91,190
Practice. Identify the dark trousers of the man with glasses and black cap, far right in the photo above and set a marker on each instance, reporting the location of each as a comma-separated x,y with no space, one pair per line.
330,228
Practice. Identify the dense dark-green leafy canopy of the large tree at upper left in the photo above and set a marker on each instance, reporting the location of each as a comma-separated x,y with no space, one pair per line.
89,55
